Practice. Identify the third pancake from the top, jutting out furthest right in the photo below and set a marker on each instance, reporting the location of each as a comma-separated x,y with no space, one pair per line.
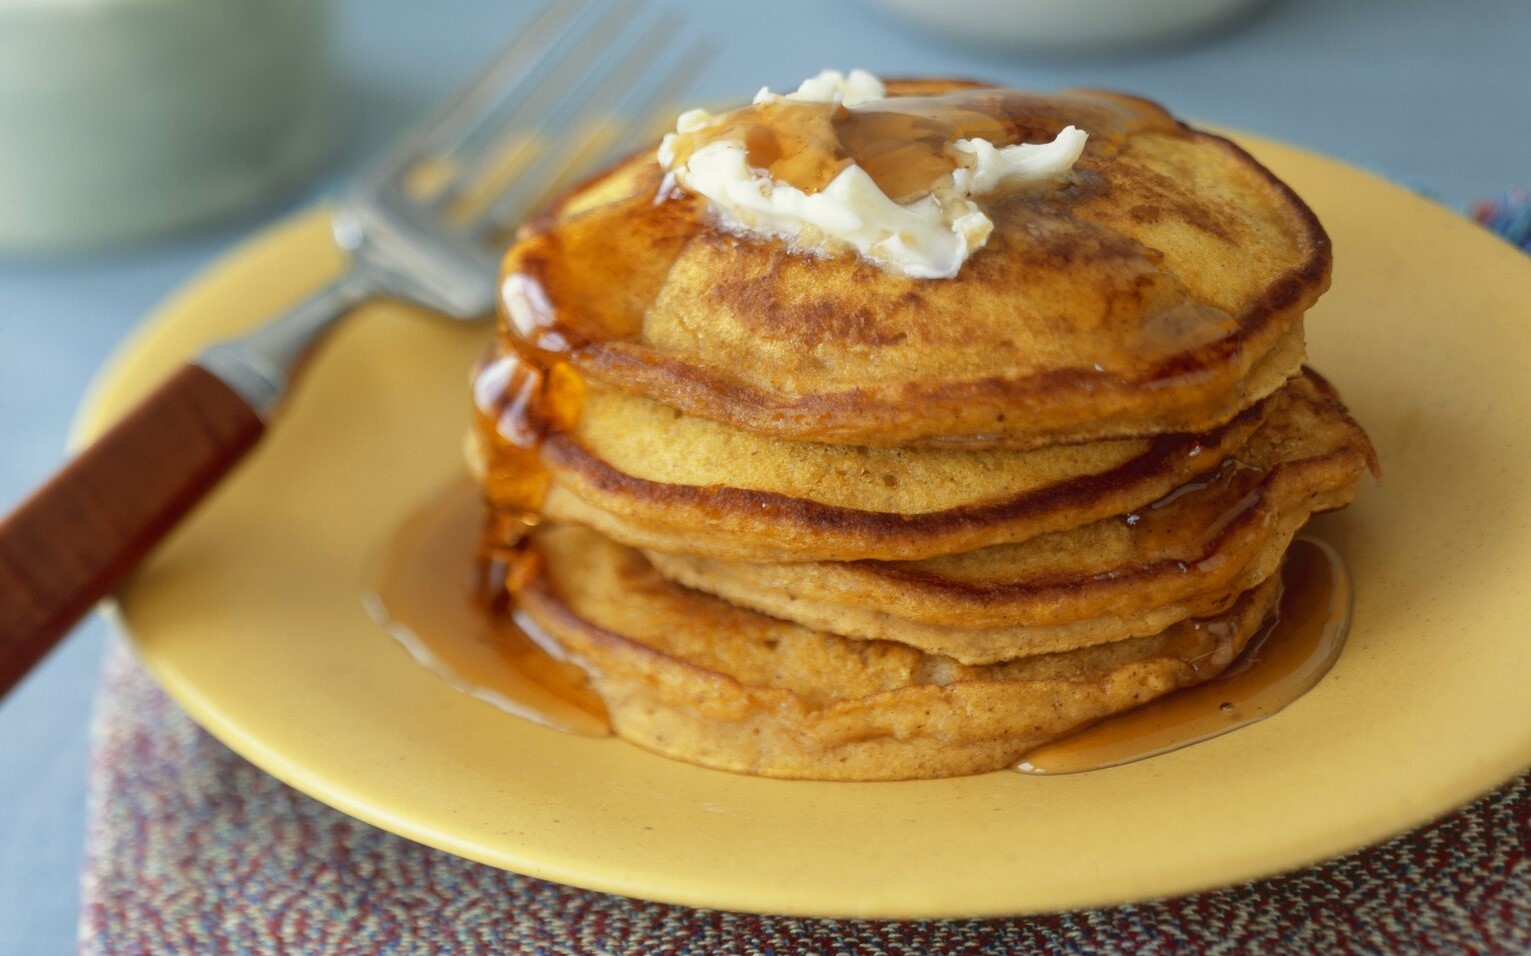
1125,577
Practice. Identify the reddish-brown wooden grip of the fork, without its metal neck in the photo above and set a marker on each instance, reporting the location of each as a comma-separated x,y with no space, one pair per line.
83,532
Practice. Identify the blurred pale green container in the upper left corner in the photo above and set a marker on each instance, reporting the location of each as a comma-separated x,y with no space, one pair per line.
123,120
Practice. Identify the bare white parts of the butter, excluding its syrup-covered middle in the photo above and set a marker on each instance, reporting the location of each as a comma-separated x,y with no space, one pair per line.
927,238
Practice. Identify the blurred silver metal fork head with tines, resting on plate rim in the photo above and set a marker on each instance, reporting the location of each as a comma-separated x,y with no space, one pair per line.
429,223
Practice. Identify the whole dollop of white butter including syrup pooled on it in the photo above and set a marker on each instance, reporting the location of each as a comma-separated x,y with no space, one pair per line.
837,166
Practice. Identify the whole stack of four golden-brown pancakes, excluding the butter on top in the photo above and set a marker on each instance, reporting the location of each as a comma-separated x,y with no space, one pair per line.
801,517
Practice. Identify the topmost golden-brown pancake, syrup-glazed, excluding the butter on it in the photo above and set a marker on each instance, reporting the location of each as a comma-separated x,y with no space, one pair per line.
1146,293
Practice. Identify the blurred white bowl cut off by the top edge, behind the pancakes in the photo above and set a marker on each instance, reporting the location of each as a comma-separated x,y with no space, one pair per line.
1068,27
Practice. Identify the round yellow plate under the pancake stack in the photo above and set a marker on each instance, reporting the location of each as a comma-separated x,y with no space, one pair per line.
252,618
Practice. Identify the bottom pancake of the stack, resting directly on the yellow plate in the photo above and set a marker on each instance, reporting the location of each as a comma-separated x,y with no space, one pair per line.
699,679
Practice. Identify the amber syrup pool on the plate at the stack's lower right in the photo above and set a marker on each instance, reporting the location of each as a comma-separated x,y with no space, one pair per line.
1278,667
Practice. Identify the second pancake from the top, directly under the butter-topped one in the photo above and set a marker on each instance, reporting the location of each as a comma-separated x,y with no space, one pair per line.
653,477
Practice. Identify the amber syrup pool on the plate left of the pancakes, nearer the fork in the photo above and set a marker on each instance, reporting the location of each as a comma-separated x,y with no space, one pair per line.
443,600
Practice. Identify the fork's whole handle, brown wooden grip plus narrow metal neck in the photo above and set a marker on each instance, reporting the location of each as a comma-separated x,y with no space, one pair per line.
83,532
